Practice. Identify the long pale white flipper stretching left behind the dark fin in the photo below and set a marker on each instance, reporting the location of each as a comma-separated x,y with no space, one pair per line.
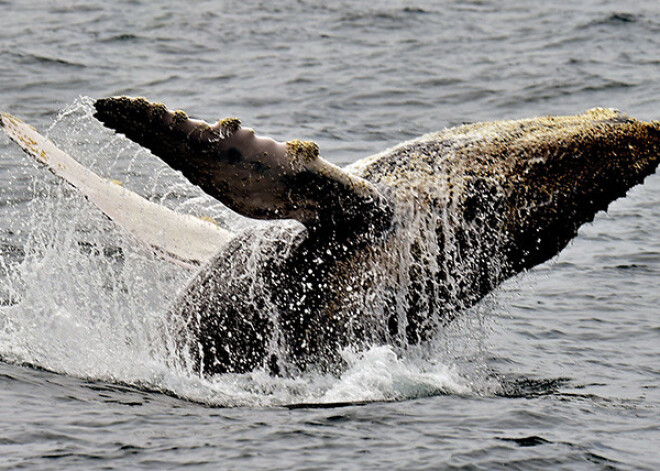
180,238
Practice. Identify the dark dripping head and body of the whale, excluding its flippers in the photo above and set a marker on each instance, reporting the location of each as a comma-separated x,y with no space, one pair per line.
468,207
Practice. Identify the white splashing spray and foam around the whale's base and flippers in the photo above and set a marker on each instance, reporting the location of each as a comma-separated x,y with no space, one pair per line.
81,297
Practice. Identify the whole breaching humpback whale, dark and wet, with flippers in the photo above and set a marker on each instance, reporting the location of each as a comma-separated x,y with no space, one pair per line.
386,250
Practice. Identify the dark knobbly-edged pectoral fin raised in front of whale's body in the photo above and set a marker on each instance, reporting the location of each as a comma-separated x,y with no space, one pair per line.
255,176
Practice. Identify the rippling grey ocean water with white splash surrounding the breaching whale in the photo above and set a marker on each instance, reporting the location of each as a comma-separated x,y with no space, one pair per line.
557,369
